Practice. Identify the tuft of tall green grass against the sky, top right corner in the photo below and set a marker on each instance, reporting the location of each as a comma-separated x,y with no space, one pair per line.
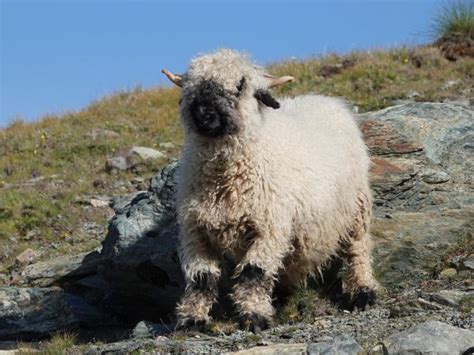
455,17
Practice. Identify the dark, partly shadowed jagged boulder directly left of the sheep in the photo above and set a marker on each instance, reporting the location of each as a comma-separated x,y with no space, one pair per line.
139,257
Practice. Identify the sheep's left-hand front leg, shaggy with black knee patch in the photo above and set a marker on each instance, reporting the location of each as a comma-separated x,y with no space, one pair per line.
201,273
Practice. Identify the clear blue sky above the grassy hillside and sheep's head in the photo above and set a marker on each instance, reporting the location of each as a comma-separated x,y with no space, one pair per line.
58,56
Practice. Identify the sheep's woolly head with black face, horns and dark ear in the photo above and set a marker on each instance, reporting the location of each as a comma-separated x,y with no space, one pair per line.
221,89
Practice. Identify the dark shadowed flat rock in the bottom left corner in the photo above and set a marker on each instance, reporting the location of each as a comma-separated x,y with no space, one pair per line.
33,312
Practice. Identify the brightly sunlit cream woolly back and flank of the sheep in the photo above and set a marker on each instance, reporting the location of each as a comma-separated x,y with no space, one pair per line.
319,156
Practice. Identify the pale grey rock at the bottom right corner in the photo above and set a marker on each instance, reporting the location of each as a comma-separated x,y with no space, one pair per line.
431,338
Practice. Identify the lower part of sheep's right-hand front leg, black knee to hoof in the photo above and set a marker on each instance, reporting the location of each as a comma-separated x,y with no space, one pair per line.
252,296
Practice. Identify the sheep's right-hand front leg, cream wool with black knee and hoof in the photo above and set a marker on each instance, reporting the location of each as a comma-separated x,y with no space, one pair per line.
255,276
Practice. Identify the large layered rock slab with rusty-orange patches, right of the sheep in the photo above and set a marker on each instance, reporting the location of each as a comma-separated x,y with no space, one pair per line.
422,185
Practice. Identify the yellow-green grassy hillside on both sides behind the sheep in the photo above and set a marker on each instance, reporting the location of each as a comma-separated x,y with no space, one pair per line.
49,170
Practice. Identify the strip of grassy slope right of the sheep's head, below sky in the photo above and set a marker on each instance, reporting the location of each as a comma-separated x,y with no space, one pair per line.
374,79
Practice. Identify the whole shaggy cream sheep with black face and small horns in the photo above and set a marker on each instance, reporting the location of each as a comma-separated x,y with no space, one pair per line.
268,190
